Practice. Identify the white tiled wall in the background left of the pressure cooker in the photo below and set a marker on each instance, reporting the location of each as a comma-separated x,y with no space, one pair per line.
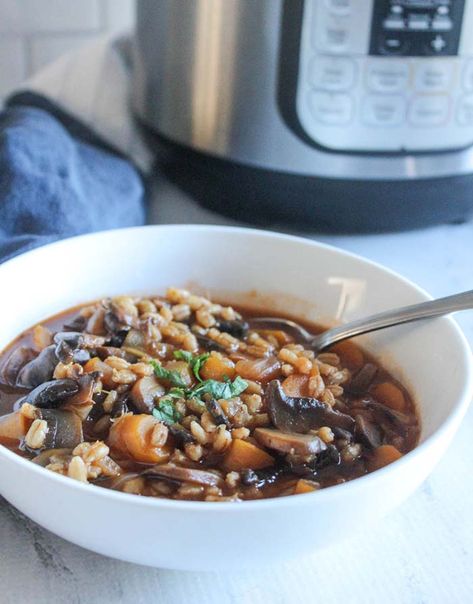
34,32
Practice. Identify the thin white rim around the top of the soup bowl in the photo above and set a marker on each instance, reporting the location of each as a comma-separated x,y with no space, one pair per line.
322,496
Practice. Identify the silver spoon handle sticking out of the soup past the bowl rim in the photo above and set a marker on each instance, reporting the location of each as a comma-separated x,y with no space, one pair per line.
424,310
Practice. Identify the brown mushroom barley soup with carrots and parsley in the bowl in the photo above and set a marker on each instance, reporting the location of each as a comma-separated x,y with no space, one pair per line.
177,397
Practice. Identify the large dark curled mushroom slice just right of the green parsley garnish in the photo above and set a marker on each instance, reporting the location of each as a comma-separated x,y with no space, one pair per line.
301,414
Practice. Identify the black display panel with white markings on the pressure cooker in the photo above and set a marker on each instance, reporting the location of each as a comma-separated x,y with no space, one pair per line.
416,28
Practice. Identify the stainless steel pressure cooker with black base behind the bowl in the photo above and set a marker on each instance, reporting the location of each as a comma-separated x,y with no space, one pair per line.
330,114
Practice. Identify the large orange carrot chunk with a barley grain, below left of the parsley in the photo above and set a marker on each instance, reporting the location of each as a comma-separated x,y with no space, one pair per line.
131,435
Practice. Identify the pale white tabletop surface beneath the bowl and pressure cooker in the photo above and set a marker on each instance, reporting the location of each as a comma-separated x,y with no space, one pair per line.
421,554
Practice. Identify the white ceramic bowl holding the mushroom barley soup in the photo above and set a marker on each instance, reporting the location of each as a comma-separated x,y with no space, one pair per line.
292,274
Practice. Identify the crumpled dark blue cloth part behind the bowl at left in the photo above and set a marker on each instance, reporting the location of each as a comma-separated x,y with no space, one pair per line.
57,180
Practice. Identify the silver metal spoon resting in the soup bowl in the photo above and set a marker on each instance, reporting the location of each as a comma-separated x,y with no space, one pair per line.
415,312
